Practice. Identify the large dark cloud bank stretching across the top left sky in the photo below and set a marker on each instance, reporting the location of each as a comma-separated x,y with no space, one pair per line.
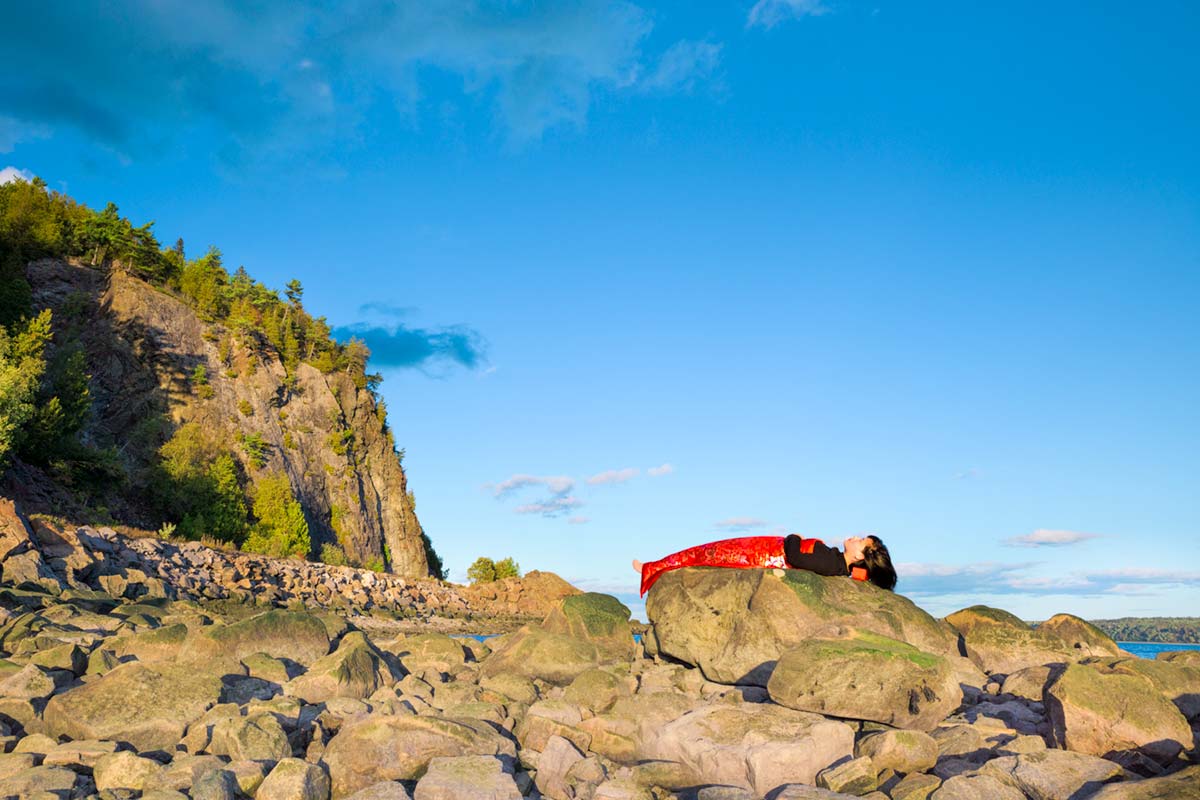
278,79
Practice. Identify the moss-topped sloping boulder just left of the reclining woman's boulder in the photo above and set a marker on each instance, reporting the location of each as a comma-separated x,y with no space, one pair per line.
585,631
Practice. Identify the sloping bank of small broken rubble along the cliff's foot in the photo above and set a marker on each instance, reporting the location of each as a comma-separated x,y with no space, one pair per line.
41,552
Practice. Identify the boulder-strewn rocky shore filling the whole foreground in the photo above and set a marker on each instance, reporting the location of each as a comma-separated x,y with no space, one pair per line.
747,685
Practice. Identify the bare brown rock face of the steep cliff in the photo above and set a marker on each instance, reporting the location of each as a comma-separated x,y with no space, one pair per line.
146,350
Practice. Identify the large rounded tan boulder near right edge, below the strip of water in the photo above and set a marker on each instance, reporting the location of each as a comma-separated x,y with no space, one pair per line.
1109,708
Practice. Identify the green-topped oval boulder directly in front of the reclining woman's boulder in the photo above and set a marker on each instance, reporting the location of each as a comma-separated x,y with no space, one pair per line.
868,678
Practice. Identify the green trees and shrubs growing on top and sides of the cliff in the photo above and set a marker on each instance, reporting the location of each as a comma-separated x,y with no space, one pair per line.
195,483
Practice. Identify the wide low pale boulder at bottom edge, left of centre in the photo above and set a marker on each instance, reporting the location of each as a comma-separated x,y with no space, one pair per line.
383,748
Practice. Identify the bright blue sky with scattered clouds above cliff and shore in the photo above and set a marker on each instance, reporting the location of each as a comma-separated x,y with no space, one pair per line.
641,276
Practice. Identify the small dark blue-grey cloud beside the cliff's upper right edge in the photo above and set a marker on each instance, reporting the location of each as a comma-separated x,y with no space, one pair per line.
398,346
